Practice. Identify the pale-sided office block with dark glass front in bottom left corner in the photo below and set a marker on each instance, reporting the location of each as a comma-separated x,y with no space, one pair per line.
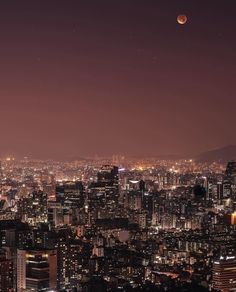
36,270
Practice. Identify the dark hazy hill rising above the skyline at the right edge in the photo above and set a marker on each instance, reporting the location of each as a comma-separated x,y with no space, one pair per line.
223,154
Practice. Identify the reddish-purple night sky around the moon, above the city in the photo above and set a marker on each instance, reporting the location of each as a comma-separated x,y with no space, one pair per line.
81,78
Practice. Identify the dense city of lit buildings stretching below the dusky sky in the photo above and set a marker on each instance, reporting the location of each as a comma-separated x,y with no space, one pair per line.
117,224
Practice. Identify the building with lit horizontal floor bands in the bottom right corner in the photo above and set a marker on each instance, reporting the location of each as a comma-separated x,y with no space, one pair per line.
224,274
